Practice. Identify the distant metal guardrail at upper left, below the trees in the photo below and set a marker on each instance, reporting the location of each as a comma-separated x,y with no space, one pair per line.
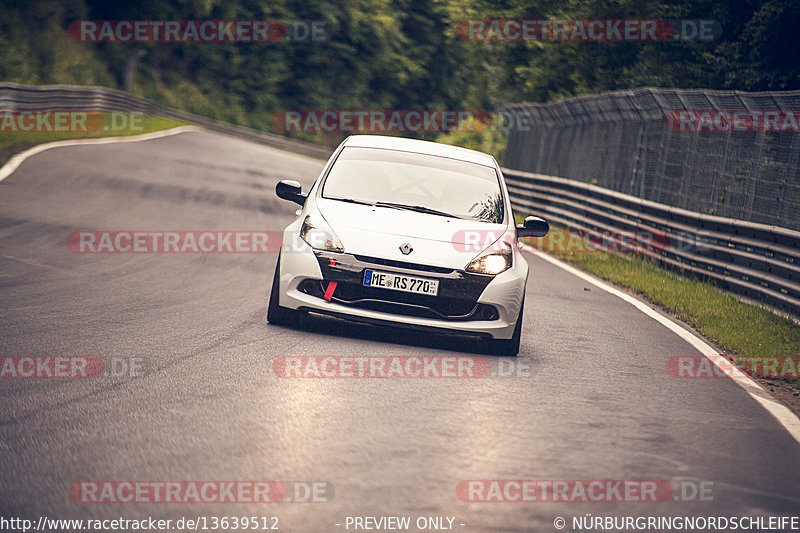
14,96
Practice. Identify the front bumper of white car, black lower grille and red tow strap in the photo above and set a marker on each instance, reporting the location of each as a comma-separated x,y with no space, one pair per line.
467,304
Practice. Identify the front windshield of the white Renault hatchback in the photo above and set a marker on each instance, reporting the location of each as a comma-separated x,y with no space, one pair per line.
424,183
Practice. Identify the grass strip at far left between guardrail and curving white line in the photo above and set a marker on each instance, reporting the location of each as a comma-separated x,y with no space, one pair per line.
13,142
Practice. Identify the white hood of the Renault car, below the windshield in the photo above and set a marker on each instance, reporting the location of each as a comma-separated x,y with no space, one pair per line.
434,240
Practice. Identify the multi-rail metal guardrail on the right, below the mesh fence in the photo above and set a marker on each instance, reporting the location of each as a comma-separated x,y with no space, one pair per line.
758,261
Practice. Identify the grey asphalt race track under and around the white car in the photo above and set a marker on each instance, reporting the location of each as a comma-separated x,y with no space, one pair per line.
590,398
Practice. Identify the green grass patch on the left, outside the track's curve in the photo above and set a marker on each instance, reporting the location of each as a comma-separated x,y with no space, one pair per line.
14,140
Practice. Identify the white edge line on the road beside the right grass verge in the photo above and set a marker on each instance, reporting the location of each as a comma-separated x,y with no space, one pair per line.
782,413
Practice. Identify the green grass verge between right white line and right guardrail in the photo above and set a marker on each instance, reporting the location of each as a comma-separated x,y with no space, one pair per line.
741,329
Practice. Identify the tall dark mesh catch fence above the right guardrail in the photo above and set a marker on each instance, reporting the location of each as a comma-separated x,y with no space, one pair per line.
629,141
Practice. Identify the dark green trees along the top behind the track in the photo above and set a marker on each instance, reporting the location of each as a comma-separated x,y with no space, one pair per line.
401,54
